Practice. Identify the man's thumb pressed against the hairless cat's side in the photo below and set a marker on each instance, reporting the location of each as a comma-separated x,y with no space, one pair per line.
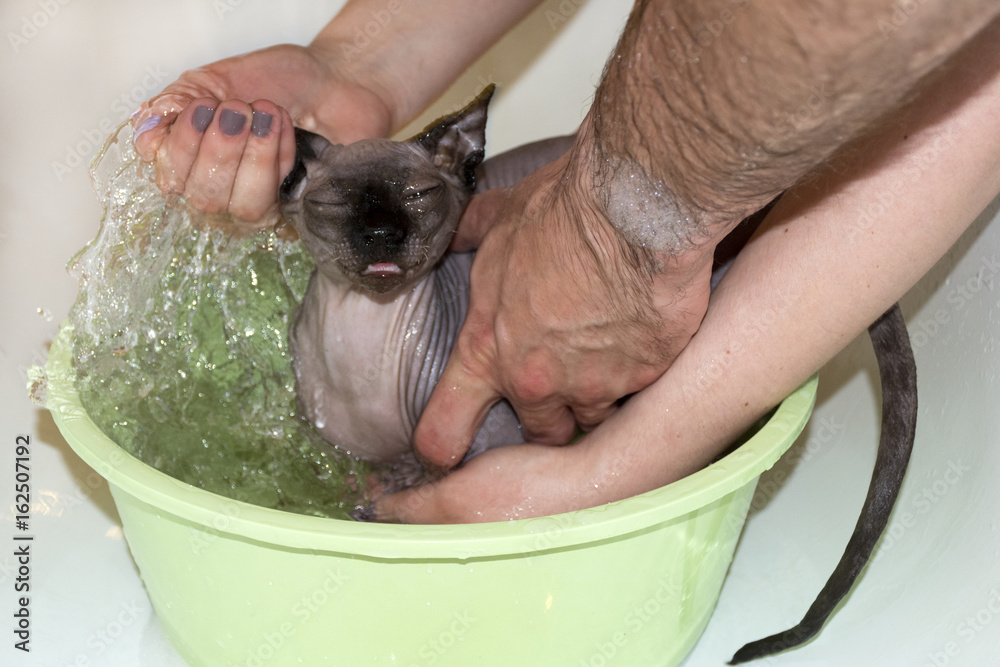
456,409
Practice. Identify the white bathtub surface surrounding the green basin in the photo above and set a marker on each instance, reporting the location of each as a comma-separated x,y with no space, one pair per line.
70,71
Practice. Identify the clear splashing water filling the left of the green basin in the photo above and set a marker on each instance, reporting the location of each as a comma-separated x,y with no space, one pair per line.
181,348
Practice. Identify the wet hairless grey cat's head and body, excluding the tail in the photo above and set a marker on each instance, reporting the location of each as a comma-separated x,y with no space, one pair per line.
383,309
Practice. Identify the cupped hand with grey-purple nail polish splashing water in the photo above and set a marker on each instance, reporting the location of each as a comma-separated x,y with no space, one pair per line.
222,135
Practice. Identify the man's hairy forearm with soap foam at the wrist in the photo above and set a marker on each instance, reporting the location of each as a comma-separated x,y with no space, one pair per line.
708,110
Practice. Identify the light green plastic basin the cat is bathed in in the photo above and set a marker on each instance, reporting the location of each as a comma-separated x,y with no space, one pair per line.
629,583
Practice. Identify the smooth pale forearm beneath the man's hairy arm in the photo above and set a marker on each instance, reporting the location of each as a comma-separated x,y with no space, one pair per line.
798,293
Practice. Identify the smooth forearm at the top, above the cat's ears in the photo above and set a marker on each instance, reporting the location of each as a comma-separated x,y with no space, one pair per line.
409,51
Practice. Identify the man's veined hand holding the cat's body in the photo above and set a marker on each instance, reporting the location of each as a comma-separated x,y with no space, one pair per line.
565,316
